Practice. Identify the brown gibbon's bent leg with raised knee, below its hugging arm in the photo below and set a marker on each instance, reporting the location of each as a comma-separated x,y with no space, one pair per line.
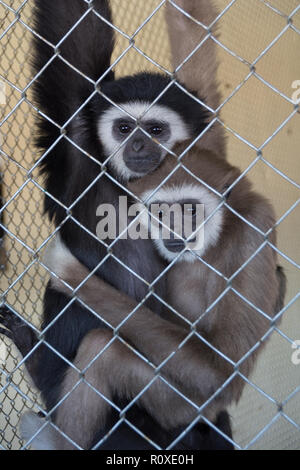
111,367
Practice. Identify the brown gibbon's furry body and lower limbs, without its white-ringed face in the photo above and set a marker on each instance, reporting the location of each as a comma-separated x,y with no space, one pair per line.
233,327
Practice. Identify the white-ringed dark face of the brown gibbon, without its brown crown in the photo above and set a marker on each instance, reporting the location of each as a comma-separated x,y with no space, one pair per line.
184,220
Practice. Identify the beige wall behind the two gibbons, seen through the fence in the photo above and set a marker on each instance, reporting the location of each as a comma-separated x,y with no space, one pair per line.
255,113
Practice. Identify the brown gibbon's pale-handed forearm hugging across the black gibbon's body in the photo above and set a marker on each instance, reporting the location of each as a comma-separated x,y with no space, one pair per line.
155,337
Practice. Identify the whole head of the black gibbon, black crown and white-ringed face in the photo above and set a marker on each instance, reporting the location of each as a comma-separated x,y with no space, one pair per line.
143,117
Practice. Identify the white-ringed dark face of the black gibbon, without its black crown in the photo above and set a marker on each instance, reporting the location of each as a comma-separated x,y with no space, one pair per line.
134,142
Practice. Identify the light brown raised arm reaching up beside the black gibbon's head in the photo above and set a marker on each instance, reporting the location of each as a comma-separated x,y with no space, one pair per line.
199,73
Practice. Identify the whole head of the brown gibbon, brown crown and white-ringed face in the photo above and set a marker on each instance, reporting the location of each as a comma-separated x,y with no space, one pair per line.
183,206
